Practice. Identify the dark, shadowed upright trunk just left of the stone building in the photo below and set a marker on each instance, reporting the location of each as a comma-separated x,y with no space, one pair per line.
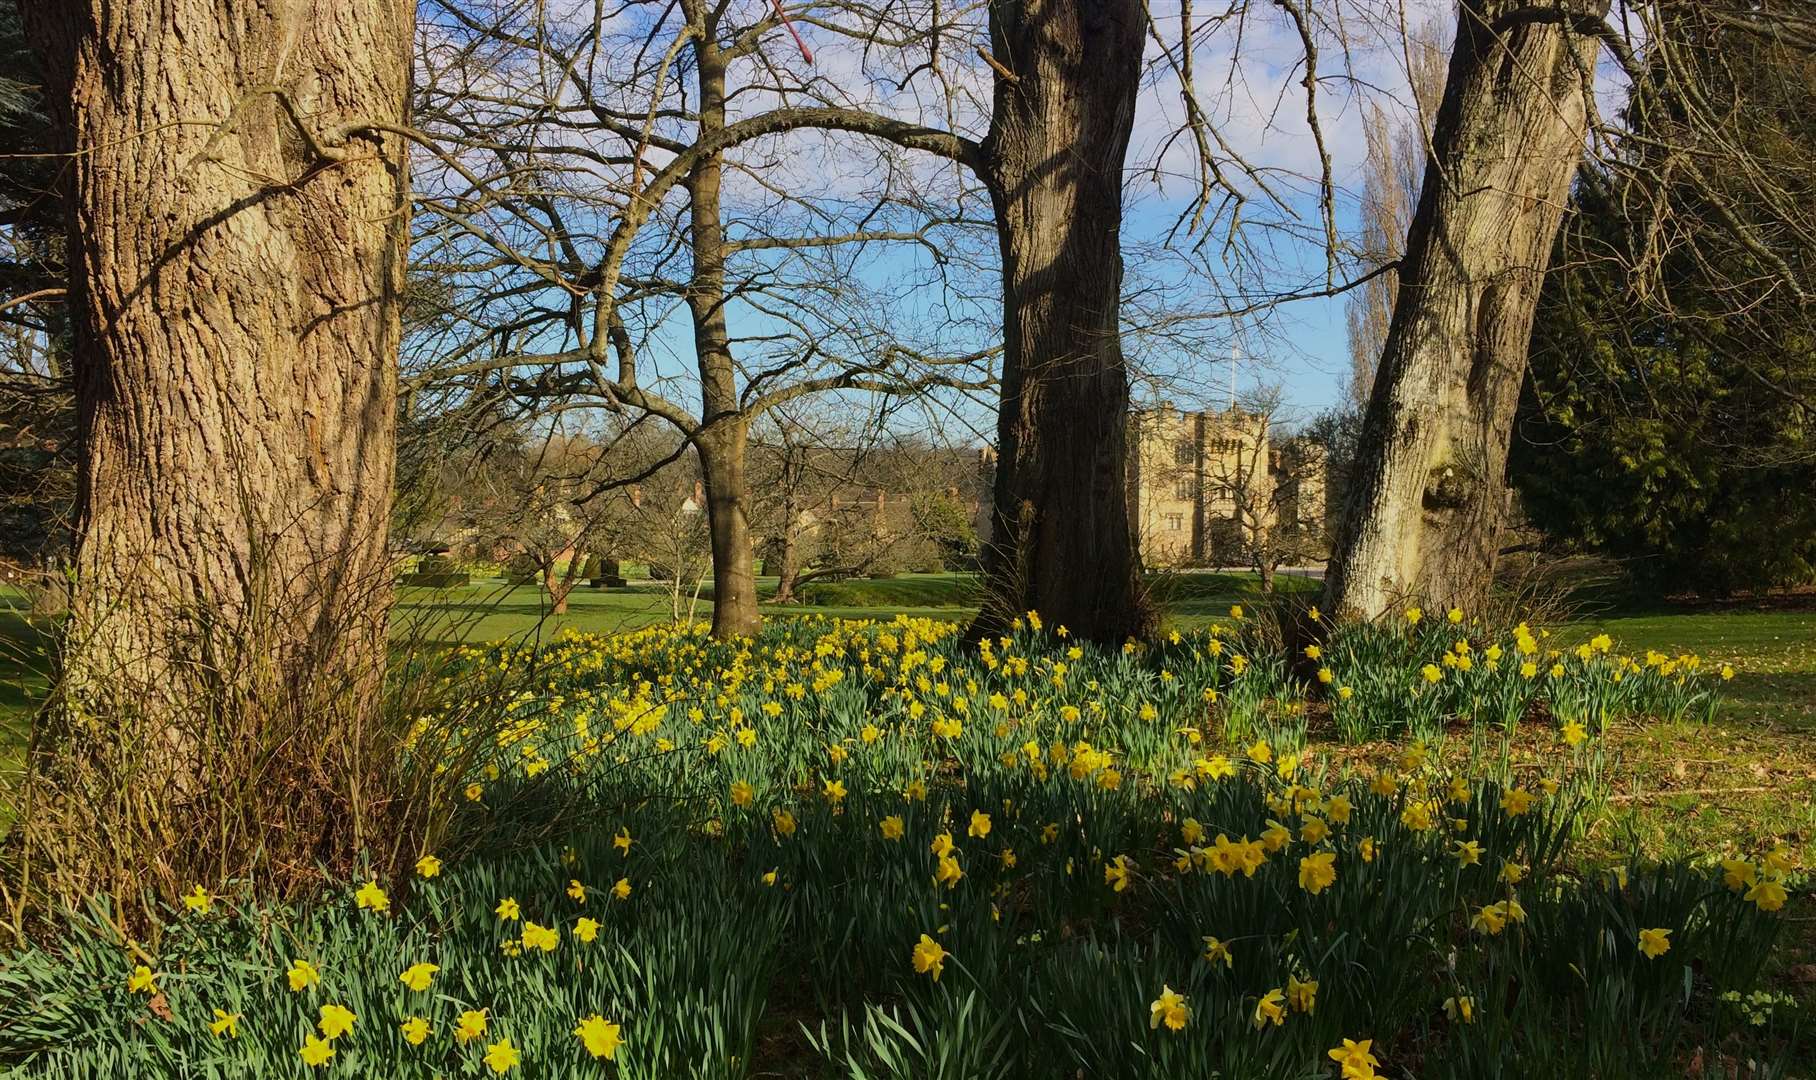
1058,137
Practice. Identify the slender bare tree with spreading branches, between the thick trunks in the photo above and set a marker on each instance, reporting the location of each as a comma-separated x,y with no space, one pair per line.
618,173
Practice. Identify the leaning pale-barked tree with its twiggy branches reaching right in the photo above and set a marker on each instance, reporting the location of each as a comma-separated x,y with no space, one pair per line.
1428,491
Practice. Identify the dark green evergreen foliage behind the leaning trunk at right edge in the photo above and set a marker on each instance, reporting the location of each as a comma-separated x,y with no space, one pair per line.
1668,418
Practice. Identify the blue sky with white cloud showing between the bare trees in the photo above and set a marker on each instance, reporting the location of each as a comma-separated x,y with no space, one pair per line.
1248,86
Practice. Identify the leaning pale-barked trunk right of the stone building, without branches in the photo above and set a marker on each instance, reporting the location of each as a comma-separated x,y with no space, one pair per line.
1426,498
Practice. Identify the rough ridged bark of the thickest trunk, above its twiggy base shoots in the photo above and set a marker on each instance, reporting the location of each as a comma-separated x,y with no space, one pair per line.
237,250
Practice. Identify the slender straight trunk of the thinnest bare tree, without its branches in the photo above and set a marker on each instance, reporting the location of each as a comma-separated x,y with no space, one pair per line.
724,438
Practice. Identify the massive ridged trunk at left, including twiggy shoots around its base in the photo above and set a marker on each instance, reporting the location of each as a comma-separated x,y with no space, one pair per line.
237,248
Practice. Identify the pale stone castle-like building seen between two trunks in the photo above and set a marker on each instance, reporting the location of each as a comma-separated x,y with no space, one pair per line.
1201,484
